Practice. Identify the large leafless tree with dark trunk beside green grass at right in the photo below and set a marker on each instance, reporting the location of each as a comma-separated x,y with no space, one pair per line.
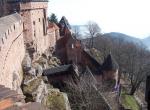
137,65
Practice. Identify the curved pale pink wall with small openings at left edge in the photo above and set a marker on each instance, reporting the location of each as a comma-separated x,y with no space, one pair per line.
12,50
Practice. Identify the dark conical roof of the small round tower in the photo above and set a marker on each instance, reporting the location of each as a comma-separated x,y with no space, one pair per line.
110,63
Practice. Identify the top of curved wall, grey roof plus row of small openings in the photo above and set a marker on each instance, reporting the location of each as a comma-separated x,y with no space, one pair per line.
9,25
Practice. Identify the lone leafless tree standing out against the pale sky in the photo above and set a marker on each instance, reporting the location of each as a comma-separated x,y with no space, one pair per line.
93,29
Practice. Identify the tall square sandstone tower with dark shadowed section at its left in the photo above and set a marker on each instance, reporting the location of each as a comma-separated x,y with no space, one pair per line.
34,16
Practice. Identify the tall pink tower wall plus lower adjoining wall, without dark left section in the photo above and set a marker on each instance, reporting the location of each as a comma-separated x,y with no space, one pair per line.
35,25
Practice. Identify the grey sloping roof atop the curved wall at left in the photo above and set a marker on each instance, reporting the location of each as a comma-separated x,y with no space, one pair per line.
7,21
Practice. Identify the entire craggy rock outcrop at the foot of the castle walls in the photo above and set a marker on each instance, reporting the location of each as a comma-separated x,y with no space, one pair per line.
36,88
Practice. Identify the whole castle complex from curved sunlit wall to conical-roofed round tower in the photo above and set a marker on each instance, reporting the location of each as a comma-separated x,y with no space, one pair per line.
24,27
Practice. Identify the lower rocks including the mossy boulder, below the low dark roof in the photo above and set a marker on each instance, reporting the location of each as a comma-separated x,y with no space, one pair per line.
36,90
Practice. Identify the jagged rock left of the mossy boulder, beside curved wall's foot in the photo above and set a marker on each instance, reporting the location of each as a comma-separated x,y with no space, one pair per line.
34,89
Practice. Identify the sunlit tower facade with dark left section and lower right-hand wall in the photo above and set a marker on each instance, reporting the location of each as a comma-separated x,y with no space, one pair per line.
36,32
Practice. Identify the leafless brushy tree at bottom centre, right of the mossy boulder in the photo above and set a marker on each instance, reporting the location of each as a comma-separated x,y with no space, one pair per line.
84,95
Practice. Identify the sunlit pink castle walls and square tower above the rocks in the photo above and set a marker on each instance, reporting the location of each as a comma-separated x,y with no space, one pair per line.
25,26
